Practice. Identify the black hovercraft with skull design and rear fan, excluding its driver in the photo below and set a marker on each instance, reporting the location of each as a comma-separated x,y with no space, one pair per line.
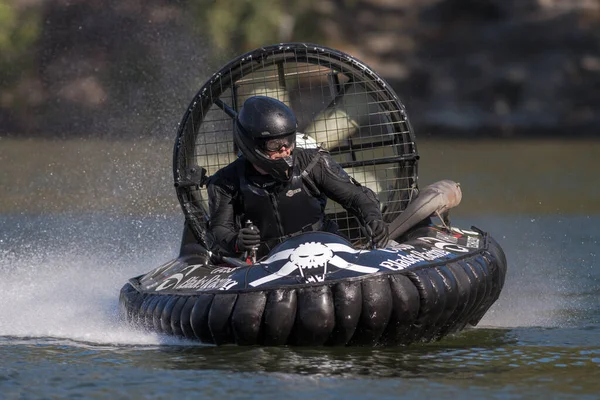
317,288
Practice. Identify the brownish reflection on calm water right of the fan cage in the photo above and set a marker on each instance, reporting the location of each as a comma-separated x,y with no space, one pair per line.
532,177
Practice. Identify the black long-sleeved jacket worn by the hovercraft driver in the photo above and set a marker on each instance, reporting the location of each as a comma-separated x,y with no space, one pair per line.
238,193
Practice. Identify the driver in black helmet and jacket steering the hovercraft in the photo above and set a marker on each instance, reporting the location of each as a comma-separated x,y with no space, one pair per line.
281,189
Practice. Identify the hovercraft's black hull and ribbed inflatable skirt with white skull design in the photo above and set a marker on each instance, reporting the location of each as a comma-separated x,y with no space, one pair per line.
316,289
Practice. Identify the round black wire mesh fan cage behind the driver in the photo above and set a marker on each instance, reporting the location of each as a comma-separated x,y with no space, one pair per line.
341,105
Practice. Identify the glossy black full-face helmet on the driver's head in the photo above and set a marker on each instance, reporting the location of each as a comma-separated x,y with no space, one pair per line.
265,124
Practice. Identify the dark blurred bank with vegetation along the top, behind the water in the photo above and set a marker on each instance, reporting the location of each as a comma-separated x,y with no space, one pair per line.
128,68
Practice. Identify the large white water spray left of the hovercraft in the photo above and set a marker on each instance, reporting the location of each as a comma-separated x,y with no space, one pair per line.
54,287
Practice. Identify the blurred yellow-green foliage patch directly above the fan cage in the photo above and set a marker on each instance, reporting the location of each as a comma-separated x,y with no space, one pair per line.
240,25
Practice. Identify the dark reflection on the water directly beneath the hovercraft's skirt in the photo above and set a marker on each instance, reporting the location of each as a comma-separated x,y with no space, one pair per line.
425,360
